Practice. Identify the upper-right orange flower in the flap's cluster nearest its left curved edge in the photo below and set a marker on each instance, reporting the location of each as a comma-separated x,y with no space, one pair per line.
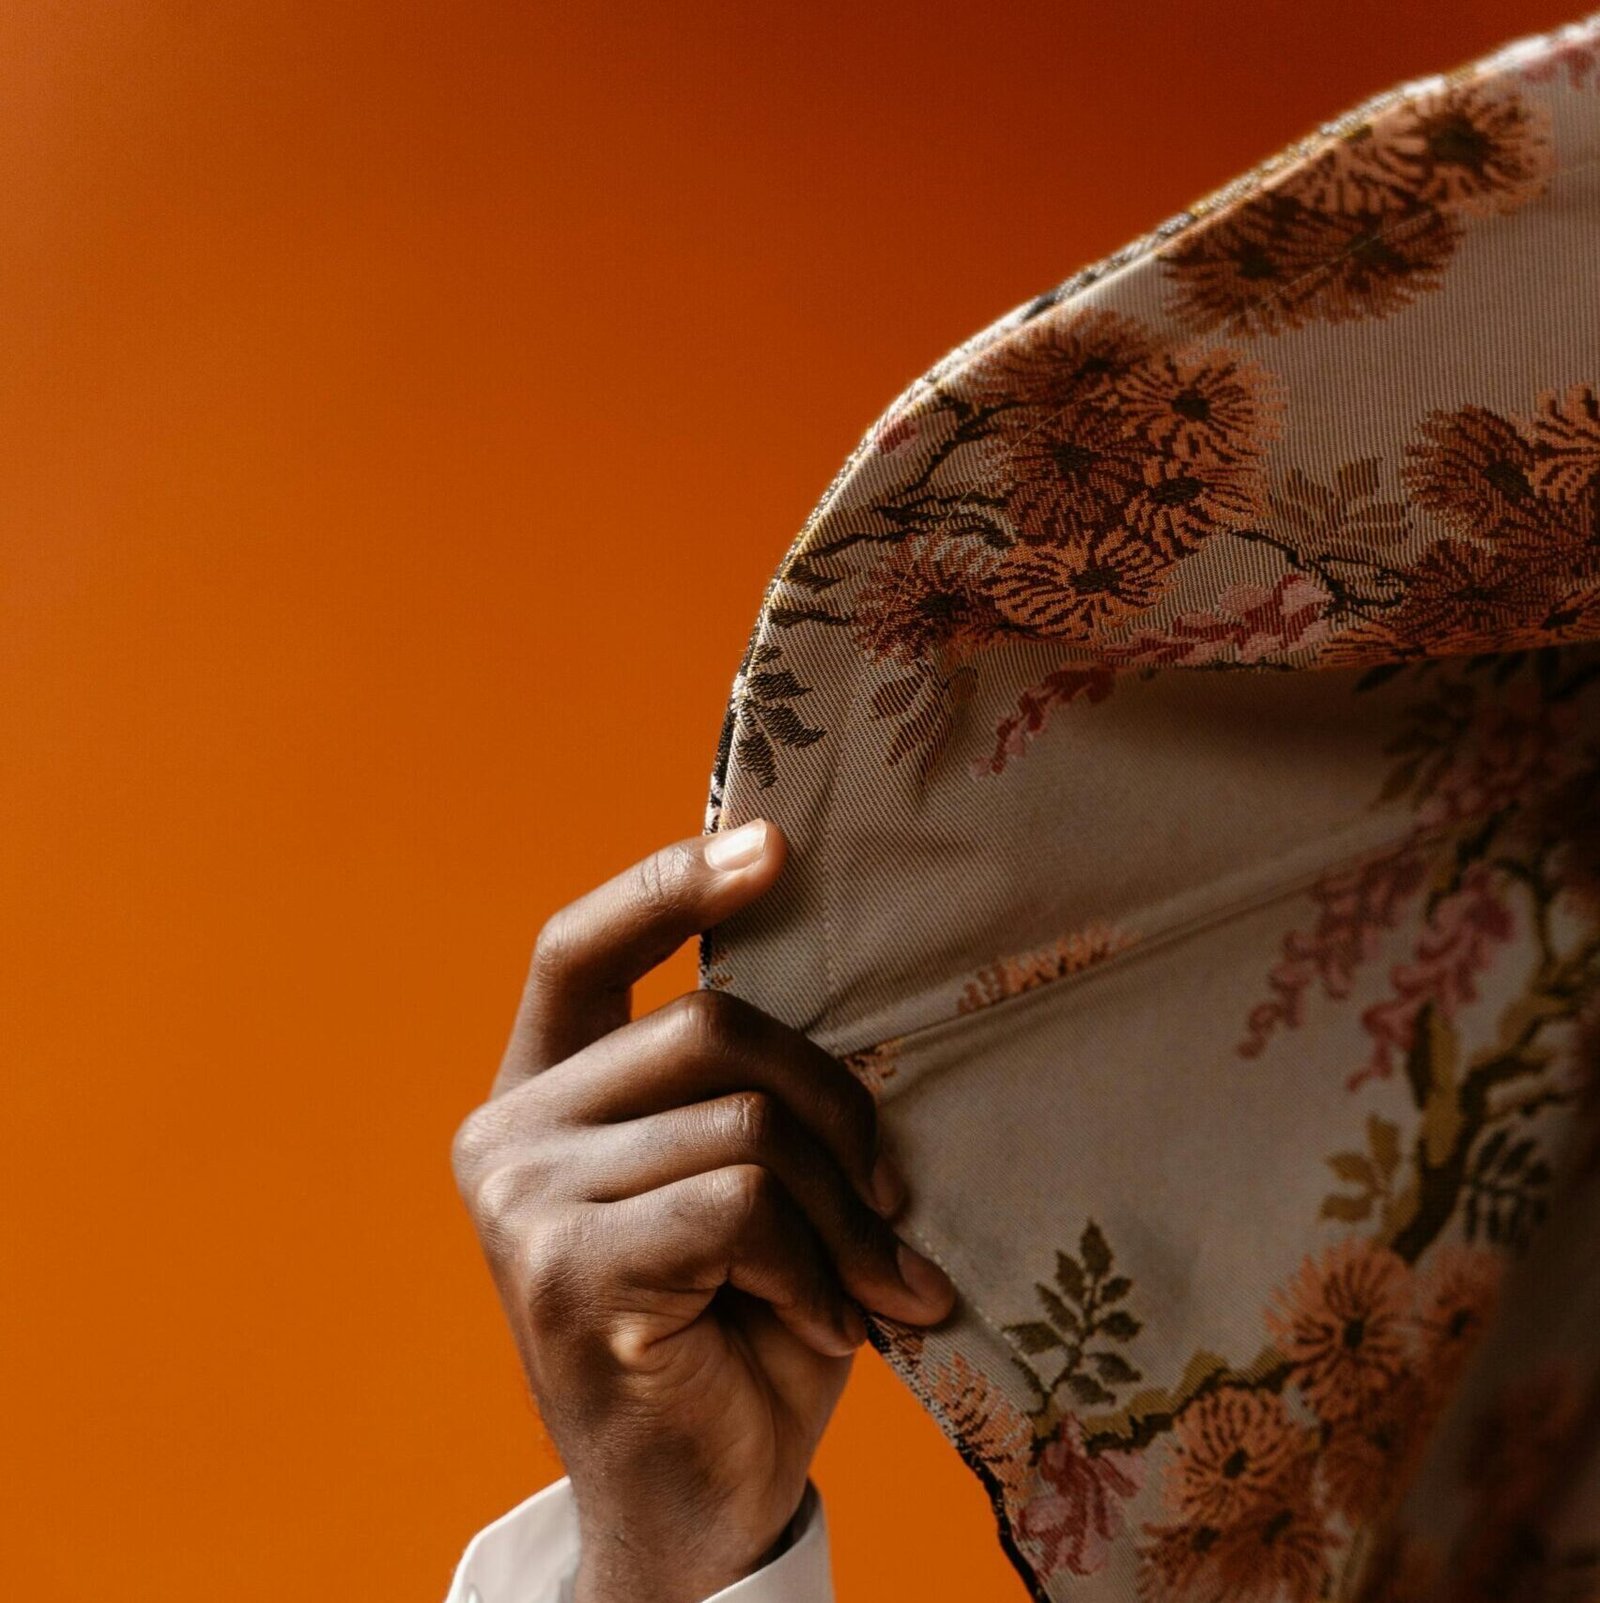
1210,408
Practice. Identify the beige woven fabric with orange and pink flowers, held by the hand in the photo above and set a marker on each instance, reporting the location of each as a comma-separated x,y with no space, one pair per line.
1186,713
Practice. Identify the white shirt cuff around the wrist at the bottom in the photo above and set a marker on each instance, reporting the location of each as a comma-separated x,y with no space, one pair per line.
530,1556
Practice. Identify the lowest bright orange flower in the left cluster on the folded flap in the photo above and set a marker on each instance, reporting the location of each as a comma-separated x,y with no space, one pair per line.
1073,592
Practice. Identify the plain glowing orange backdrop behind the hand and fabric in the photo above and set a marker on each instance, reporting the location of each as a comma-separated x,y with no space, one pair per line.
403,408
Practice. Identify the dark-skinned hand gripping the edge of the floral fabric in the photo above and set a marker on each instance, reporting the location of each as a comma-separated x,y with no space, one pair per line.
682,1214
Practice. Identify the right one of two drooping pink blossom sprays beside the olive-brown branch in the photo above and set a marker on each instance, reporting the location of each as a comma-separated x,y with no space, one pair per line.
1457,947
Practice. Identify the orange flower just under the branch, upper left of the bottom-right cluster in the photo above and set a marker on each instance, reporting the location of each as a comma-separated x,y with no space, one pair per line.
1230,1452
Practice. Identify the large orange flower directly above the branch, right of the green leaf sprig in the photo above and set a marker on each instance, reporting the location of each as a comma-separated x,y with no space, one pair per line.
1343,1322
